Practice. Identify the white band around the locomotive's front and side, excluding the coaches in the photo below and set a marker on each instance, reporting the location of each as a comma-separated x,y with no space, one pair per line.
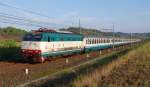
52,46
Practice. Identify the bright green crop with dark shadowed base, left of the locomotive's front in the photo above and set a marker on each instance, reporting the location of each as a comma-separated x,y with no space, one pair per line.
9,50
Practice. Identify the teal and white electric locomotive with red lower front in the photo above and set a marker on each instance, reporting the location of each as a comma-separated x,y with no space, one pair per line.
44,43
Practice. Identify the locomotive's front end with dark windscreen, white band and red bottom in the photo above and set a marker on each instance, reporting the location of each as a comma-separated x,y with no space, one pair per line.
31,48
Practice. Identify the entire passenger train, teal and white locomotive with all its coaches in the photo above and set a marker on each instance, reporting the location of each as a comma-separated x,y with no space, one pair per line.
44,44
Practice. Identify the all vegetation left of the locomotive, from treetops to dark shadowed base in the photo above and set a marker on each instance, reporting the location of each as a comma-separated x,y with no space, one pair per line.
10,38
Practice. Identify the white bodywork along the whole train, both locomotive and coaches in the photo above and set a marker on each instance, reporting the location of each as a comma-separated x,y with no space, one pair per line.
67,45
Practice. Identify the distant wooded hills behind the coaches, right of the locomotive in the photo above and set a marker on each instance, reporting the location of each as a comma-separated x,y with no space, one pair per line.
95,32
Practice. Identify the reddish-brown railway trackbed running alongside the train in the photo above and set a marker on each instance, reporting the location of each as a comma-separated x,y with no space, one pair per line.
12,74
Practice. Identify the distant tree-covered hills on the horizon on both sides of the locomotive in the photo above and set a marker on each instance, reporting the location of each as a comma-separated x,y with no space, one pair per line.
16,34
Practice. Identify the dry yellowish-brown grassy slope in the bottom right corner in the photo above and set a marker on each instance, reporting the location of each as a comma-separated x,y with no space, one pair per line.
129,70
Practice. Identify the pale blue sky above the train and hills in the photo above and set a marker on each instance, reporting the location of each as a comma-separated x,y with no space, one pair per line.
126,15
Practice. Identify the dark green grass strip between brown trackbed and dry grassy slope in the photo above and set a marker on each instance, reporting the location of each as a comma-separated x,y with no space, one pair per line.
68,75
